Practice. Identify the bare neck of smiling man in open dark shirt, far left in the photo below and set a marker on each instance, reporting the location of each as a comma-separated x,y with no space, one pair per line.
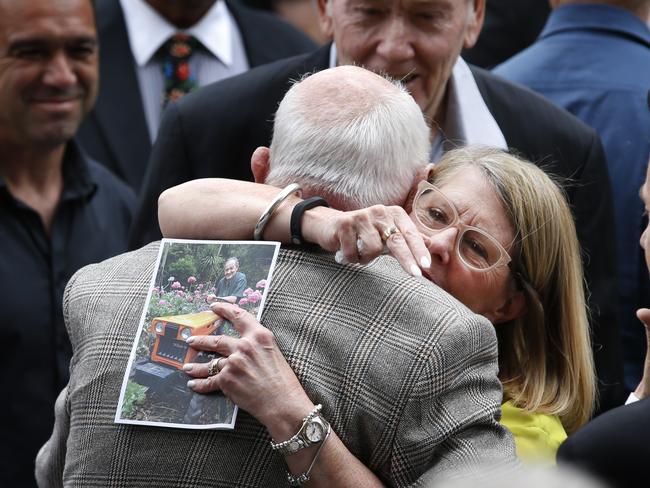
35,177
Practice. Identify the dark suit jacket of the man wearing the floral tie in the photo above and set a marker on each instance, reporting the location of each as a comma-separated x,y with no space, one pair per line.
115,132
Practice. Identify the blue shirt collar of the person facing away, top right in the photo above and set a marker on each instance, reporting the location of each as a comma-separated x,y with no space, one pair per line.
596,17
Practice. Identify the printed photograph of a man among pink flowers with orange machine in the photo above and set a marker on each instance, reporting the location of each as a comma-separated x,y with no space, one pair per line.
189,276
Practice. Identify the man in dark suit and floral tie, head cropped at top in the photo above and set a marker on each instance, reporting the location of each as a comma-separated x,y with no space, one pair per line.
120,130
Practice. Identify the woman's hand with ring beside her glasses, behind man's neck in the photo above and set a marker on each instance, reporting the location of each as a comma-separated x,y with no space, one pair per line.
359,236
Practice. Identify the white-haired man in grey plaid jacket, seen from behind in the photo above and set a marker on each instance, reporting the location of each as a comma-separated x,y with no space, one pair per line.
405,378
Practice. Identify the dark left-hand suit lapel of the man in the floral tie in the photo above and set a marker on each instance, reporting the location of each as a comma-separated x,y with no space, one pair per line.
120,121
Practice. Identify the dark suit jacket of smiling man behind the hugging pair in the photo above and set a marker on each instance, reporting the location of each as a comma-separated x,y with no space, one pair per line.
239,114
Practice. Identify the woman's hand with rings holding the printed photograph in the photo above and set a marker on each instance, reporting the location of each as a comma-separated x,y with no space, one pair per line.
254,374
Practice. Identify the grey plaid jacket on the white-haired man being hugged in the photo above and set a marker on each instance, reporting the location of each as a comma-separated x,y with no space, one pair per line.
406,374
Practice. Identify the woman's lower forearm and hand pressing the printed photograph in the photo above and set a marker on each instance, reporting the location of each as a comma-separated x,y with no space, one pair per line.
256,377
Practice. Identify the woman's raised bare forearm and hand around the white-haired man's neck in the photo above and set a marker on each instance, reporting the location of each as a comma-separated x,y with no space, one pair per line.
198,209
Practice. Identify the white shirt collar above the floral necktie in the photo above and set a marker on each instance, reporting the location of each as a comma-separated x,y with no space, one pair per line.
148,30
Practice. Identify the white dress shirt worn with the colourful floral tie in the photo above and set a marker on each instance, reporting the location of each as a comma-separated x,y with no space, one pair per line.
223,56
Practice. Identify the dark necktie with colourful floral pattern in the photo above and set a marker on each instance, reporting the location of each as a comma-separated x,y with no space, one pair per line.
176,68
